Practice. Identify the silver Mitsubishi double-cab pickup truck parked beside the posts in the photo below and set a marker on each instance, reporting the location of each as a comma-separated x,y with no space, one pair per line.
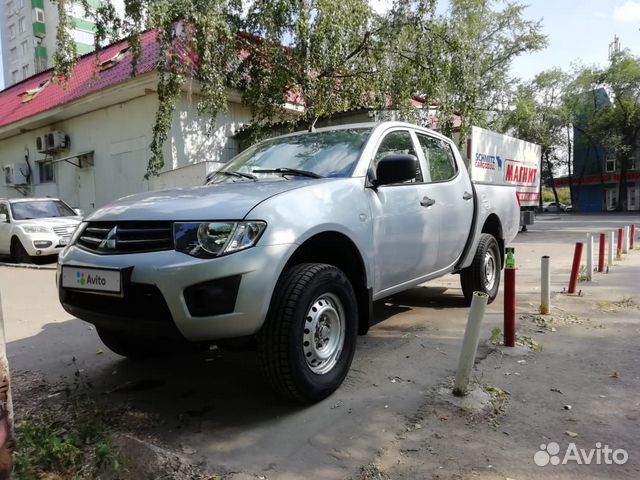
286,248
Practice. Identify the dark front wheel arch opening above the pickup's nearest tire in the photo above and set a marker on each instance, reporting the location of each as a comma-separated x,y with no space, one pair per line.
337,249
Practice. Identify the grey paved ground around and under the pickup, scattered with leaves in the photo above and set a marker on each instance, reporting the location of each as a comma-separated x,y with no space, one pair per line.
393,417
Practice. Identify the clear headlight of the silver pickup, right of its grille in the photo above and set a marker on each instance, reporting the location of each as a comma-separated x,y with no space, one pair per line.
213,239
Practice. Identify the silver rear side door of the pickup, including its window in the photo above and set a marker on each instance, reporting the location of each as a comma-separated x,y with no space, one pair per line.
451,193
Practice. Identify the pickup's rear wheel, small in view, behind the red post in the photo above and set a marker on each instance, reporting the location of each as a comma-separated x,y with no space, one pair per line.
474,278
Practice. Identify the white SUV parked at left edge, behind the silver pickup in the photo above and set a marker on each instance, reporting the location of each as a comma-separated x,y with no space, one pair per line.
34,227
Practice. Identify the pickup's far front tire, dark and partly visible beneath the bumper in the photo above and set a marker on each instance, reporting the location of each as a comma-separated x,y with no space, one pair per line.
137,347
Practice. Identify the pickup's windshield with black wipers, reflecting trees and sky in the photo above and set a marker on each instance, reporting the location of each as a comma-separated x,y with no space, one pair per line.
327,154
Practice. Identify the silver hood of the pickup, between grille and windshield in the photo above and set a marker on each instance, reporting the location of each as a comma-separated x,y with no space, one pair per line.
222,201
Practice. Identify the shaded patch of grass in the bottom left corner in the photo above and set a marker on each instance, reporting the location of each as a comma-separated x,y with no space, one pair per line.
72,442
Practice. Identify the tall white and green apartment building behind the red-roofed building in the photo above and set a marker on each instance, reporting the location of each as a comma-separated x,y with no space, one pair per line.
28,35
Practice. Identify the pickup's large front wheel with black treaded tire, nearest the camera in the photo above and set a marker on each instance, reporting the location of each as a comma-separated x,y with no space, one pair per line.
281,342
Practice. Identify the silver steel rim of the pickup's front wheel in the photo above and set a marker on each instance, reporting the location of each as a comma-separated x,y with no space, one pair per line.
323,337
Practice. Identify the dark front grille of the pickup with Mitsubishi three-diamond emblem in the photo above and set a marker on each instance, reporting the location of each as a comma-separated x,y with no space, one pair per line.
126,237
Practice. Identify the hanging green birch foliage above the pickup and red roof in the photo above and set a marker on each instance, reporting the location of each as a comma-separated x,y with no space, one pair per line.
328,56
